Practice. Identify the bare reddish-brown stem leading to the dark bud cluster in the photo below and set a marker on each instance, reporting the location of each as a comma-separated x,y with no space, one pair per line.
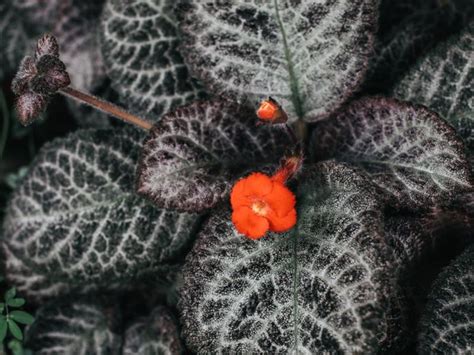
105,106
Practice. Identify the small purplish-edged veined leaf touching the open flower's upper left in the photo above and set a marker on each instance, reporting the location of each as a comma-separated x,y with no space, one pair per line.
192,156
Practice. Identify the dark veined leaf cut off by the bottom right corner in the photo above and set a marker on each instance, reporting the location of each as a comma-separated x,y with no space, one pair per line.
448,322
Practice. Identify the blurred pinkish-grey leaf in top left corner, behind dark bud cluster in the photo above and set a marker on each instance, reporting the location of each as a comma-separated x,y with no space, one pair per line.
75,24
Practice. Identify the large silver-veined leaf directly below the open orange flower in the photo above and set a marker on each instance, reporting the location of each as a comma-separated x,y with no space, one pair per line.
320,288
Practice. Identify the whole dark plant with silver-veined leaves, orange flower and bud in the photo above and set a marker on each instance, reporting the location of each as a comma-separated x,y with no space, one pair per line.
372,179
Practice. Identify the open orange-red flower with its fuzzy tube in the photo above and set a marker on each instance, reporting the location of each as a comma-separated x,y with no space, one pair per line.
261,203
